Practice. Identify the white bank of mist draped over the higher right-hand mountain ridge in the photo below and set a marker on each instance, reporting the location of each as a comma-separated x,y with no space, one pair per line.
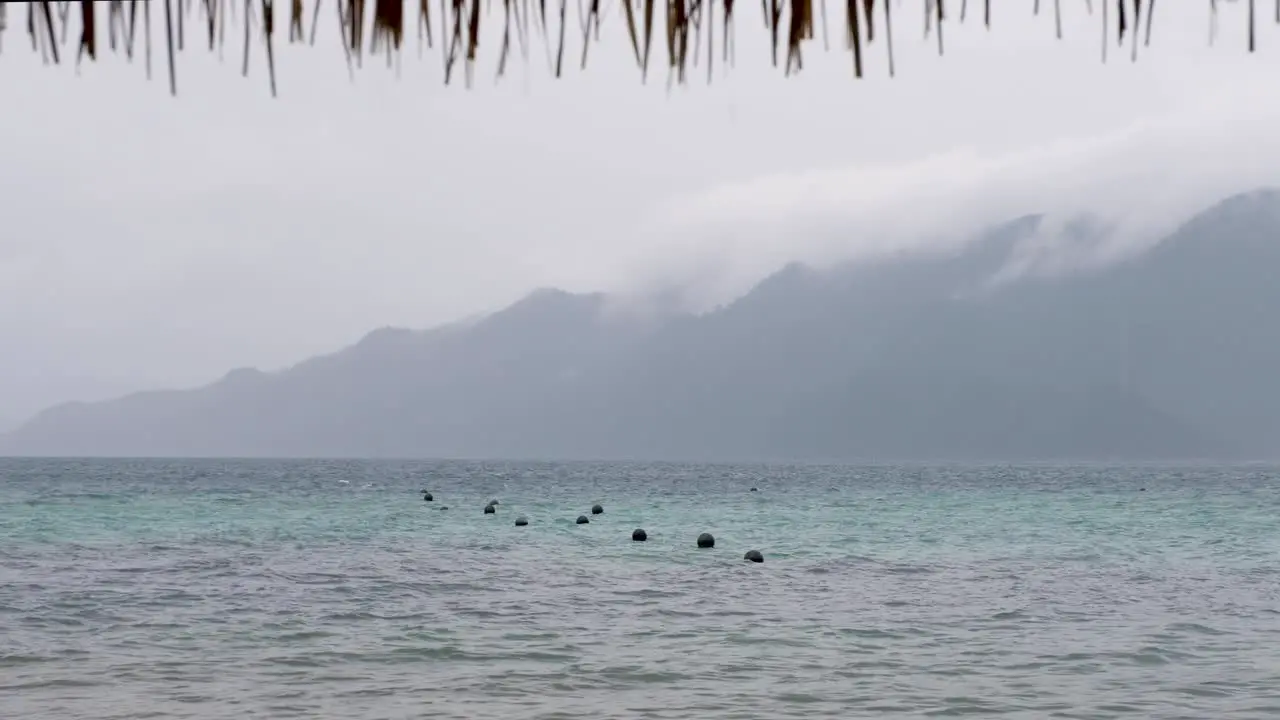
1135,186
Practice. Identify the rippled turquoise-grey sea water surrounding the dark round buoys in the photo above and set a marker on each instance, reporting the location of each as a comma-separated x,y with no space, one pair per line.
330,590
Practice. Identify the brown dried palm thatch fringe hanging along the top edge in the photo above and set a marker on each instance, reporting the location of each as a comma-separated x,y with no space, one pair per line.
790,25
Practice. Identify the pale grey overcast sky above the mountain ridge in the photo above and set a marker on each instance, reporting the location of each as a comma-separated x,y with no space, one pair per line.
158,243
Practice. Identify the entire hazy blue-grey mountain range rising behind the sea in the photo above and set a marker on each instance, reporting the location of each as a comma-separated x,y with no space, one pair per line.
1168,356
